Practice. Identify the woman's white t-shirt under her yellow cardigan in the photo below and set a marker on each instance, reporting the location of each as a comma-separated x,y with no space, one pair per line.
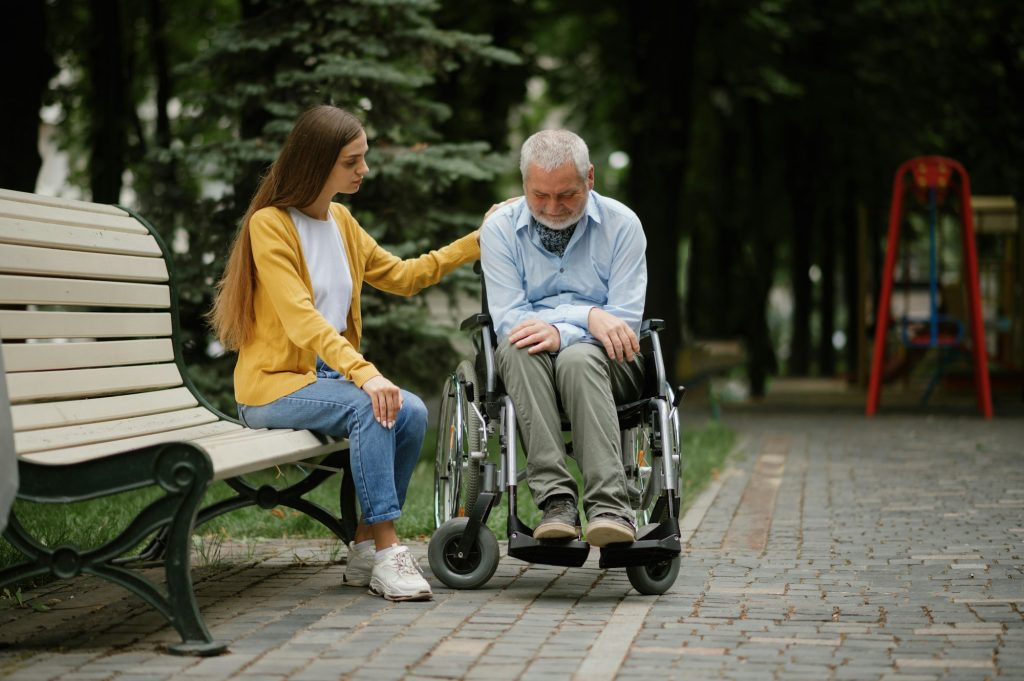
328,267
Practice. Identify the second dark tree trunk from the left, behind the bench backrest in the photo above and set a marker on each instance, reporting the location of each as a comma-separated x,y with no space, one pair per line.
111,117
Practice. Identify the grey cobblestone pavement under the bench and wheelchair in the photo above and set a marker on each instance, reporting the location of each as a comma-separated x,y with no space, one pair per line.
833,547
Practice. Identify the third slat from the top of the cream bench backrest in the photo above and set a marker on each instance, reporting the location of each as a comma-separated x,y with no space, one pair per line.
49,235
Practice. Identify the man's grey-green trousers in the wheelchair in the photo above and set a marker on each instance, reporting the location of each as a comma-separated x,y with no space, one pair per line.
590,385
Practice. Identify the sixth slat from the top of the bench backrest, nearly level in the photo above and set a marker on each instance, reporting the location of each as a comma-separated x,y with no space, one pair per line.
22,325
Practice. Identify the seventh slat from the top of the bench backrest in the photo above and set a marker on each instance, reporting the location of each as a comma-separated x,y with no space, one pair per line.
39,357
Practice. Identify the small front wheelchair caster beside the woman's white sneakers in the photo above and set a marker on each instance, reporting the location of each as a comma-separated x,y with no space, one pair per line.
472,571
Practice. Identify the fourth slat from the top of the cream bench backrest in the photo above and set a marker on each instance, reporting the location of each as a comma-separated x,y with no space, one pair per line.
56,263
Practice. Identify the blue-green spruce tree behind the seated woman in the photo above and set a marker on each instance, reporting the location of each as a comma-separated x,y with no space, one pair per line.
375,58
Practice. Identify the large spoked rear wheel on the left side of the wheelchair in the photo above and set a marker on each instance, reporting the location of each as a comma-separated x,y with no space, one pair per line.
457,478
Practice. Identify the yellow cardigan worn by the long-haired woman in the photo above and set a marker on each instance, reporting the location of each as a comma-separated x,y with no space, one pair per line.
289,334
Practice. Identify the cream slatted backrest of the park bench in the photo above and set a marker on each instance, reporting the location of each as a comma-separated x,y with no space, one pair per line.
89,325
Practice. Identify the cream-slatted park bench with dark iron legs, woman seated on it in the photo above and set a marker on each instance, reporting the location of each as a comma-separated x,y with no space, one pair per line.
99,402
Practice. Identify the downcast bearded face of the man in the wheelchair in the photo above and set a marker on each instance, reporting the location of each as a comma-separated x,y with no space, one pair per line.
558,198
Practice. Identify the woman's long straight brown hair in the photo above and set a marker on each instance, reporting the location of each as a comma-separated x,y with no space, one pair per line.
294,181
